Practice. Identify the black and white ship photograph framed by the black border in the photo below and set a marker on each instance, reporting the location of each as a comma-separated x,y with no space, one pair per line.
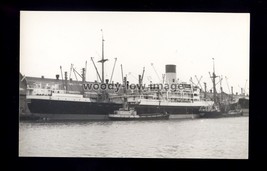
134,84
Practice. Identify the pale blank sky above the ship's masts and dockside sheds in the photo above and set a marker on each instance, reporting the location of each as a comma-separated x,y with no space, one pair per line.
52,39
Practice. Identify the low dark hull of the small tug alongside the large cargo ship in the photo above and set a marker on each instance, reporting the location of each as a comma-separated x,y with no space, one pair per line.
142,117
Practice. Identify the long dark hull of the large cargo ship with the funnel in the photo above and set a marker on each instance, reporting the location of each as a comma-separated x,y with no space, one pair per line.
74,110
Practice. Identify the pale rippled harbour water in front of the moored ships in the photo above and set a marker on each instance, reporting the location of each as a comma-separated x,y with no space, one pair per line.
225,138
